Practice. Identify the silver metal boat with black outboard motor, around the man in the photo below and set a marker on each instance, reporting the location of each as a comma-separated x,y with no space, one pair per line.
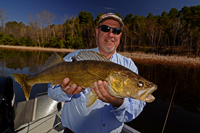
41,114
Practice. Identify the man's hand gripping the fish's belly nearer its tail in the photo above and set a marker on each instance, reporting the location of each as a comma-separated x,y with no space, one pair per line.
73,89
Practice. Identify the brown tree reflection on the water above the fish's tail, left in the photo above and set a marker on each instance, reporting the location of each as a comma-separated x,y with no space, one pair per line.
22,59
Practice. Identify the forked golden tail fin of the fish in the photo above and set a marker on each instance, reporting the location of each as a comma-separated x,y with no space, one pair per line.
21,79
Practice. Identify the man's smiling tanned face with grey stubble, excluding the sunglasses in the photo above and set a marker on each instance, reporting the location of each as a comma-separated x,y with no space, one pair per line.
108,41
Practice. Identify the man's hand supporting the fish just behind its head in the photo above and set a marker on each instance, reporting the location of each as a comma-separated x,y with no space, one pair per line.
101,89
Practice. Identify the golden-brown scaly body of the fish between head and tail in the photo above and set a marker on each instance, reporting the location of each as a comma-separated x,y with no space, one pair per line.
78,72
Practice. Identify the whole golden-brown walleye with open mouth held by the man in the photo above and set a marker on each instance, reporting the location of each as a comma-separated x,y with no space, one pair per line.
87,68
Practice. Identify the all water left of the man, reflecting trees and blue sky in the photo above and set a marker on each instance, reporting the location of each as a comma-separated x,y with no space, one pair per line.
24,62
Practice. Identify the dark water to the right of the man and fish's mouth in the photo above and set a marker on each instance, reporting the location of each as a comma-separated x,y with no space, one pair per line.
184,115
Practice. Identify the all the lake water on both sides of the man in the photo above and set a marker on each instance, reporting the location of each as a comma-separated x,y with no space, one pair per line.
184,115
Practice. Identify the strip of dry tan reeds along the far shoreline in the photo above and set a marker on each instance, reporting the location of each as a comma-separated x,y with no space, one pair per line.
138,57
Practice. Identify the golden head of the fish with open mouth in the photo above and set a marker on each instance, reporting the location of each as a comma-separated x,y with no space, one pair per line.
128,84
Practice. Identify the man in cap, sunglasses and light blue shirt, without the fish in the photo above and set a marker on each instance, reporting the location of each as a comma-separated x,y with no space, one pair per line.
108,113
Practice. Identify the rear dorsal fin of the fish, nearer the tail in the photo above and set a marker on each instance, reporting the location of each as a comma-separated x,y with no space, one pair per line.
54,59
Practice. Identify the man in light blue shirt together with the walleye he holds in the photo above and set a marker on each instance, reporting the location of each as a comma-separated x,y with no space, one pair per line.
101,88
